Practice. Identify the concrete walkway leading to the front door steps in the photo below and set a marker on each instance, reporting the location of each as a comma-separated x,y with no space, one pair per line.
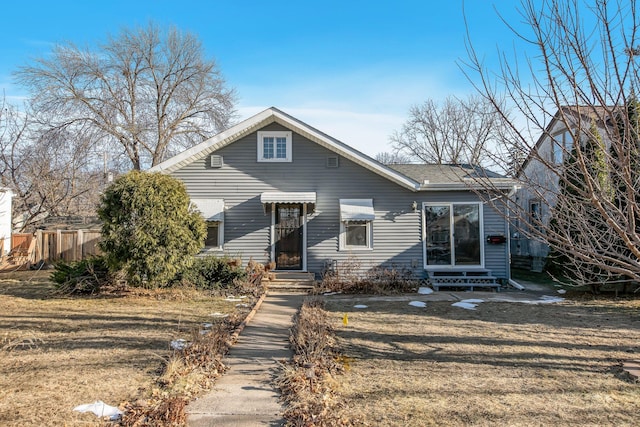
245,396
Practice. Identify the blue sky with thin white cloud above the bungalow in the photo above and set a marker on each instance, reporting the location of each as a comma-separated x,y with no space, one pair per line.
349,68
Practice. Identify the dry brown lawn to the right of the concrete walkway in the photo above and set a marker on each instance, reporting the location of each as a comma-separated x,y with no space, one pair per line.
504,364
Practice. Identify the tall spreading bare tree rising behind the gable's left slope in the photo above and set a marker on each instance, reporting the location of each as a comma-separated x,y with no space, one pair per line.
147,93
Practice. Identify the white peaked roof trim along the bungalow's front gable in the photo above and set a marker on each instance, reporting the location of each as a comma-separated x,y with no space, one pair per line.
273,115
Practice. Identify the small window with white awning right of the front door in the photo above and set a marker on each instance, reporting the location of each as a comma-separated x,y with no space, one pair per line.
356,224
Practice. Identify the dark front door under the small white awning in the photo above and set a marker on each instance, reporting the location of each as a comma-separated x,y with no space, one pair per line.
288,236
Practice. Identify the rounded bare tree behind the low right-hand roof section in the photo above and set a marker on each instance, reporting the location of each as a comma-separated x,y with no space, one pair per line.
455,132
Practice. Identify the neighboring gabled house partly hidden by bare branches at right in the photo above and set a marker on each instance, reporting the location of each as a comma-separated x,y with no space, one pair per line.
540,174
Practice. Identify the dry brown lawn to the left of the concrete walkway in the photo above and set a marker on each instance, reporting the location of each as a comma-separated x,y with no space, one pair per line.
58,352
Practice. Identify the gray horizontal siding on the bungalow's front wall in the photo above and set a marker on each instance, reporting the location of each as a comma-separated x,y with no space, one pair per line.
396,229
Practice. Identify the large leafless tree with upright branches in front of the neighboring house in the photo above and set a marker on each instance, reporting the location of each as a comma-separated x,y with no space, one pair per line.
581,79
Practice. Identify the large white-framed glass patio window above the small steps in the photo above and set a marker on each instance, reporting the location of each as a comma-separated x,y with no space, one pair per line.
453,234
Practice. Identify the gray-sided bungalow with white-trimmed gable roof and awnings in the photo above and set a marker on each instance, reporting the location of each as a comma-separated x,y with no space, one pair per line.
273,188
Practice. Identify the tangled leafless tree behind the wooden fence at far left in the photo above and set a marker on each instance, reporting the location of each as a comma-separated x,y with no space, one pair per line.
50,172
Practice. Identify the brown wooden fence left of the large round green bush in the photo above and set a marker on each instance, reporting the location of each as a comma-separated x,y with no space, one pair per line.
55,245
